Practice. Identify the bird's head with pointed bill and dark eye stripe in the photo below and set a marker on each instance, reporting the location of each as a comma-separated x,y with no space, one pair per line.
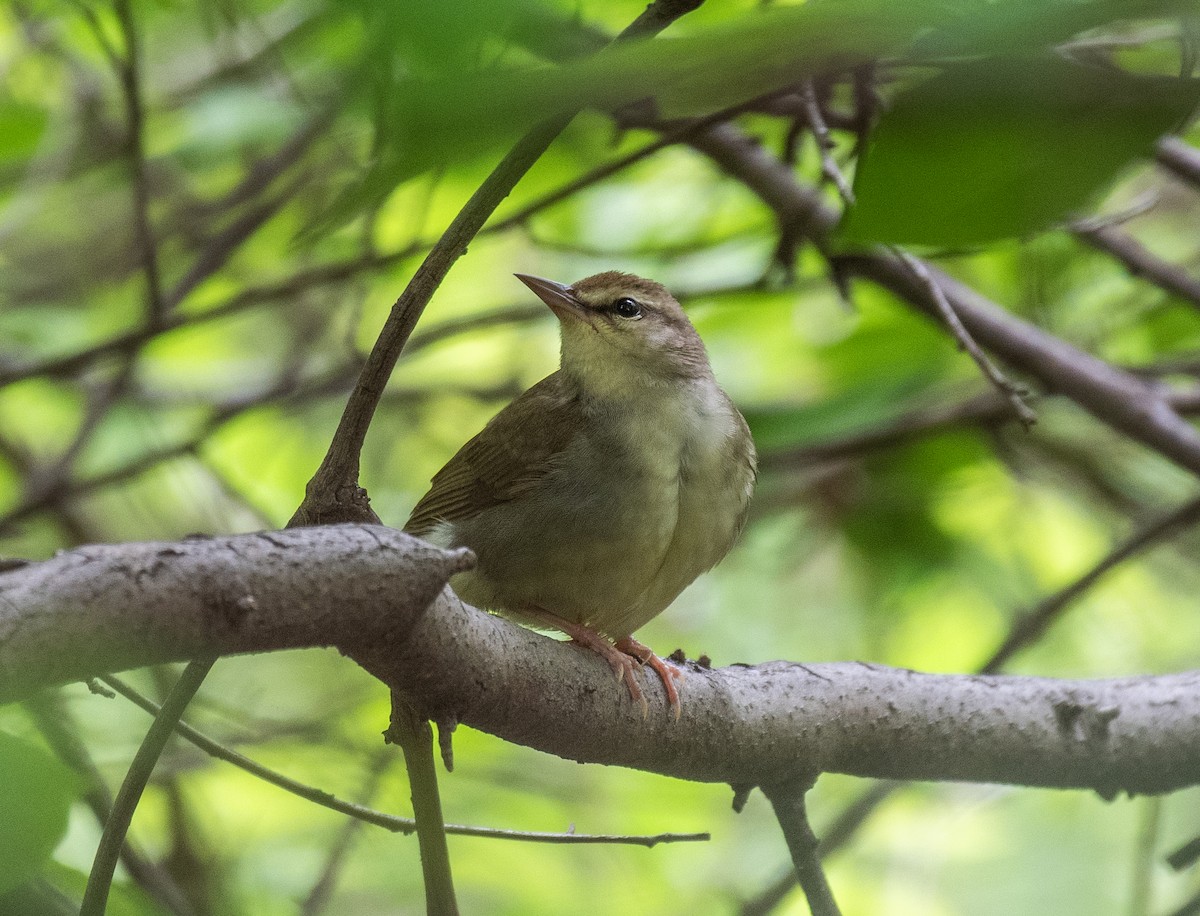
620,330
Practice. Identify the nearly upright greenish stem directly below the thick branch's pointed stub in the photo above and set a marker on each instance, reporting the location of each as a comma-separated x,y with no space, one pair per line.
415,735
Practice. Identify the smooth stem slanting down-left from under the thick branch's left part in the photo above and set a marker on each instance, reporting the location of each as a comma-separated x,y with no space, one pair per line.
100,879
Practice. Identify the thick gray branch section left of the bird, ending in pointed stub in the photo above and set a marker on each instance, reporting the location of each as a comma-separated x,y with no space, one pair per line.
103,609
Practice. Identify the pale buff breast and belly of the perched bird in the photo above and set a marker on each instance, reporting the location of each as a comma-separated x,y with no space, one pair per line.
640,505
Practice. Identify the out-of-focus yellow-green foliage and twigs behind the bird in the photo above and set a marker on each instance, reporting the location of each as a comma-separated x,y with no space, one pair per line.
207,212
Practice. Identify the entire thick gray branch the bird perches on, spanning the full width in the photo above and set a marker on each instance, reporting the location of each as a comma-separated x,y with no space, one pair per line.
379,597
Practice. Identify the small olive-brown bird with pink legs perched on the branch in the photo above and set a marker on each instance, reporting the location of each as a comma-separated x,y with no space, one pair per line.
596,498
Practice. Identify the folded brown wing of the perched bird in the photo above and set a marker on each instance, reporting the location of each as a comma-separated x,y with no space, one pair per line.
507,459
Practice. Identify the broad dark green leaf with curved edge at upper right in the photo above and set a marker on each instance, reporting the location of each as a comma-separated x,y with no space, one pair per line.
1006,147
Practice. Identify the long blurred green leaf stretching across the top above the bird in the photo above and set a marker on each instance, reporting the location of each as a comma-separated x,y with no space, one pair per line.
437,115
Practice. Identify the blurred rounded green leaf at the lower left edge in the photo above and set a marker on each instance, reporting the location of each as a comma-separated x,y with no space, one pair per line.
35,797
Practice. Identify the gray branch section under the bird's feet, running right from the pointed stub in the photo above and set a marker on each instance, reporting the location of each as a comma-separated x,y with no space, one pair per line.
769,723
